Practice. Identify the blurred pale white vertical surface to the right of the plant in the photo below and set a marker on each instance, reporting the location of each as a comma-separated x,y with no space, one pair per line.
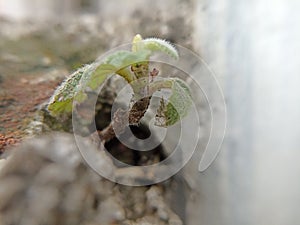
254,48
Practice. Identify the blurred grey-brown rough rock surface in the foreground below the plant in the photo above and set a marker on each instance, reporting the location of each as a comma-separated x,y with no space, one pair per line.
45,181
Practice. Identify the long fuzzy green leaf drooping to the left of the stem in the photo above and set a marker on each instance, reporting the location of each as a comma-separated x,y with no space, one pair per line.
92,76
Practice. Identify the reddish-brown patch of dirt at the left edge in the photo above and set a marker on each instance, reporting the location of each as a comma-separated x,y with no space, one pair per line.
19,101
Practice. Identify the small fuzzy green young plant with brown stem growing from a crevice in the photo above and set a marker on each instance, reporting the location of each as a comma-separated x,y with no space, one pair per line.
133,66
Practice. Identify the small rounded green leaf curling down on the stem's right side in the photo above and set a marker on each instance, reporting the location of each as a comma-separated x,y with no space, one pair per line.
178,104
